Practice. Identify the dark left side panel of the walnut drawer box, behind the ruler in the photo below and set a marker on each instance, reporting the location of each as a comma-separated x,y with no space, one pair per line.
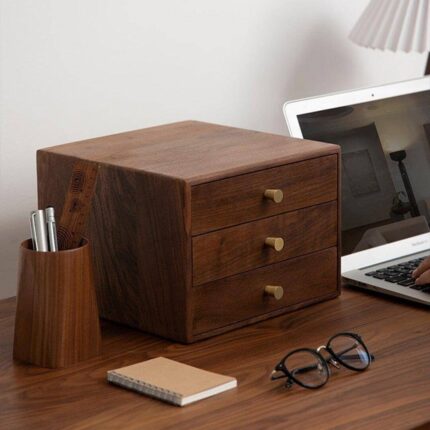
140,242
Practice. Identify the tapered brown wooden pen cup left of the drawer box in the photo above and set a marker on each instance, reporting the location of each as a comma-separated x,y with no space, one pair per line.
57,321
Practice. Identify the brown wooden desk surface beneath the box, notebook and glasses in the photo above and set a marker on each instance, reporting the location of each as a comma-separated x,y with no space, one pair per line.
394,393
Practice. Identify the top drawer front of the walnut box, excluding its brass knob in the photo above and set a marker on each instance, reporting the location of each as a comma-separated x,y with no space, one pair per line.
241,199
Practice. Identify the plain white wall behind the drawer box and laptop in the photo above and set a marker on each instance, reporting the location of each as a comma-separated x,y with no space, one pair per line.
71,70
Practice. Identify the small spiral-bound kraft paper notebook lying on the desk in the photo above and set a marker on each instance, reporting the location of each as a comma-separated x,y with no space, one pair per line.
171,381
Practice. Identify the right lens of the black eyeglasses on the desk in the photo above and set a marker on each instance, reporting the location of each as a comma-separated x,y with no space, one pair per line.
350,351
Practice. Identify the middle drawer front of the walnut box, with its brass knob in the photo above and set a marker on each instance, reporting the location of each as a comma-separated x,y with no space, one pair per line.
248,246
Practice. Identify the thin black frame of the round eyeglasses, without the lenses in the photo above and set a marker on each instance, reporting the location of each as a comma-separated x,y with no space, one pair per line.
334,360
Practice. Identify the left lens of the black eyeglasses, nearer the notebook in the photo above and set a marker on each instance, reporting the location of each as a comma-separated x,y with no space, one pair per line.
307,368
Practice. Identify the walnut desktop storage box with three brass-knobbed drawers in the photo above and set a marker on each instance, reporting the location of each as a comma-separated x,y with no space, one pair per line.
187,223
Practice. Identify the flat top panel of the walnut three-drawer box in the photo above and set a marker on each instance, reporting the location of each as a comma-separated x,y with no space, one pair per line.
194,151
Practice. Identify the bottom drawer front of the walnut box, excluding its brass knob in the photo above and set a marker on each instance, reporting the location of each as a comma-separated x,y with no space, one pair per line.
241,297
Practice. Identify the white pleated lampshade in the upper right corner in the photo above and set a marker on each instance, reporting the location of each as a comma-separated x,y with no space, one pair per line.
398,25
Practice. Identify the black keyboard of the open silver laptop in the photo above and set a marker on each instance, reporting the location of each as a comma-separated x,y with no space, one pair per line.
401,274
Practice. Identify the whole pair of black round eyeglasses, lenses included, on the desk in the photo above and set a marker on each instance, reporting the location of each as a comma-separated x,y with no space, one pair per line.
310,369
